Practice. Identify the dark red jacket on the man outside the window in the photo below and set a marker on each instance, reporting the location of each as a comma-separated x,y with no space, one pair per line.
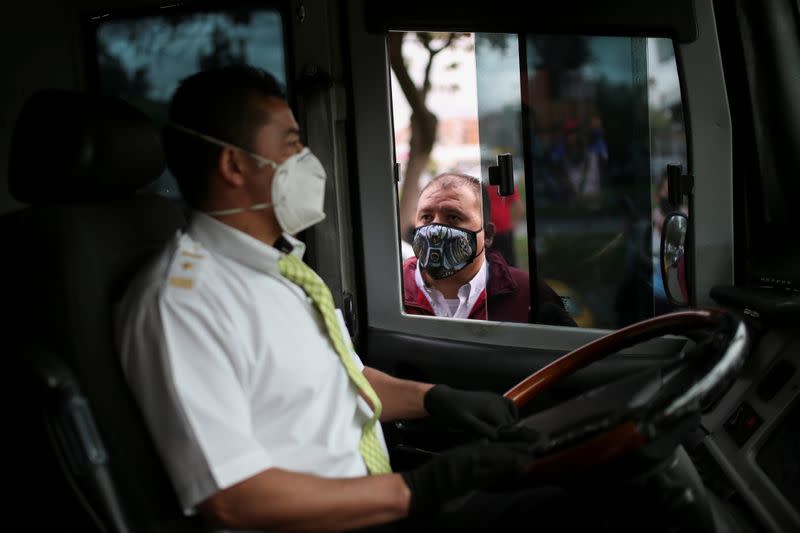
507,292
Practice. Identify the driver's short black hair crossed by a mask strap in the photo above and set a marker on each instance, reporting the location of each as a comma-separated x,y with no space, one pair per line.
221,103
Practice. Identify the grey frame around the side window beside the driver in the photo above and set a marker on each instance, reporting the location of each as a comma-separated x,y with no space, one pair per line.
706,118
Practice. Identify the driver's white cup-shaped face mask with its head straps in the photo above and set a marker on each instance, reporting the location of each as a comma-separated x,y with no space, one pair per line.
298,187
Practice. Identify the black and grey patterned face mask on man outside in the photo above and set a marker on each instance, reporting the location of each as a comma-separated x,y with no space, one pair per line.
444,250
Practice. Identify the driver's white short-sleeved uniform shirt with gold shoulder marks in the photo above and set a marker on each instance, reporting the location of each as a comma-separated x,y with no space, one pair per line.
233,368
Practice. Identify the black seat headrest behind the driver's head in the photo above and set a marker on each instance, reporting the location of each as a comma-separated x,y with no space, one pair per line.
69,146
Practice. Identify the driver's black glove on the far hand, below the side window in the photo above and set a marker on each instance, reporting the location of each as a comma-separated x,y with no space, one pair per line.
476,411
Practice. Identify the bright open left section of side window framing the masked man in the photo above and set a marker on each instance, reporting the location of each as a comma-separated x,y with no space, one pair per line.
435,110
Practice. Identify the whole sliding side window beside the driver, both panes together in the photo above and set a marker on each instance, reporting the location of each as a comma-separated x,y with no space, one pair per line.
590,124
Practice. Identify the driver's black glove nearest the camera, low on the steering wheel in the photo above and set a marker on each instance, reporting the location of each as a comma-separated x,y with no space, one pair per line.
490,466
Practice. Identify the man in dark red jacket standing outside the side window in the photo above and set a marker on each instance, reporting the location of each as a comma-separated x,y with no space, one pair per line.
455,271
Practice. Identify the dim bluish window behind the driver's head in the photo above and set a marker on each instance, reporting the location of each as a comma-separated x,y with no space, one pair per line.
143,59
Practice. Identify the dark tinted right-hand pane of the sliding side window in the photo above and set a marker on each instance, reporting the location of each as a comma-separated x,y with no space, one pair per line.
606,112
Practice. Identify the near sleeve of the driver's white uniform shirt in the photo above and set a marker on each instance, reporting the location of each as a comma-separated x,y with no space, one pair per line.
183,365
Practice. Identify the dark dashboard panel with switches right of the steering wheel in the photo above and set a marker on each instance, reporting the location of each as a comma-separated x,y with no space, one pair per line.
750,453
